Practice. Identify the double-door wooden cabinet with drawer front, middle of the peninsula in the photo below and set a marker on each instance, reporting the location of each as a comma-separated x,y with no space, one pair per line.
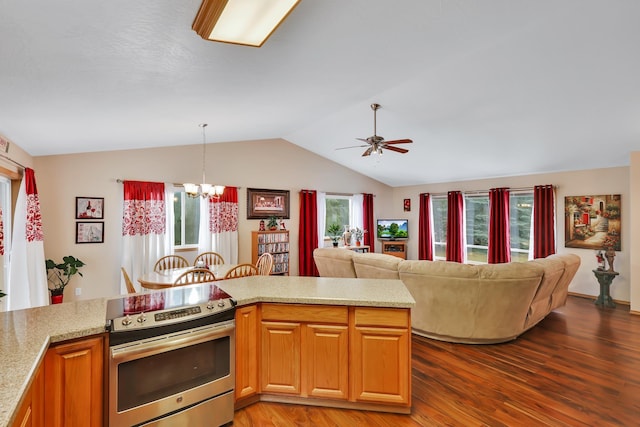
305,350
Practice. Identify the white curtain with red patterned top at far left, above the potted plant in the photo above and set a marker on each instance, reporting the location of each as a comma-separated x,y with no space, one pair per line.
27,285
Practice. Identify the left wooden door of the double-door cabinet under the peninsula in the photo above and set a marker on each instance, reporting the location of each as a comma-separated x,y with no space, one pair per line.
281,357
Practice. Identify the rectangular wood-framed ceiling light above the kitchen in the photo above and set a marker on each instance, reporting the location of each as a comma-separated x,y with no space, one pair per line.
245,22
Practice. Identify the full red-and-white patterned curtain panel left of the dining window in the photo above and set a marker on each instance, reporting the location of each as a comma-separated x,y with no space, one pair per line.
147,227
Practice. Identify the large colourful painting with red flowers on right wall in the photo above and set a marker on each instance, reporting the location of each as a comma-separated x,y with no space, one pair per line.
592,222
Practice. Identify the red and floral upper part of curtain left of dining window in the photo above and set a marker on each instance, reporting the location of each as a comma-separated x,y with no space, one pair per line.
144,208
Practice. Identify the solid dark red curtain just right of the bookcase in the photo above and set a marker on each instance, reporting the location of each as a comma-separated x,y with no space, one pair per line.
308,235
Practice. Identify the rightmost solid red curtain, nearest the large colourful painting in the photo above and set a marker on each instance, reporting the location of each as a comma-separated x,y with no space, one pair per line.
544,243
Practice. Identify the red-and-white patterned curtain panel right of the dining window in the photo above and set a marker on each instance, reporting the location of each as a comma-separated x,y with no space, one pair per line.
219,225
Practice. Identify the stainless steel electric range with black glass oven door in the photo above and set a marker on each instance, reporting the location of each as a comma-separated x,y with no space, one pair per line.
171,357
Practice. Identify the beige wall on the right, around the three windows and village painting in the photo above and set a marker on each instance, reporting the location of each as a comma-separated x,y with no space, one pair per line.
595,181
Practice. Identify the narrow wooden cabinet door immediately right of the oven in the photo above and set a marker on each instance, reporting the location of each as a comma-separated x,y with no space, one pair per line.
246,351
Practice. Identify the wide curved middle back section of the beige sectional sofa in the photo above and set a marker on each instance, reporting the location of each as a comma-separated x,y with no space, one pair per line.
470,303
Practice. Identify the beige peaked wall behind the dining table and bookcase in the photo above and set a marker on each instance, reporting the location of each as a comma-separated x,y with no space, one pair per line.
274,164
